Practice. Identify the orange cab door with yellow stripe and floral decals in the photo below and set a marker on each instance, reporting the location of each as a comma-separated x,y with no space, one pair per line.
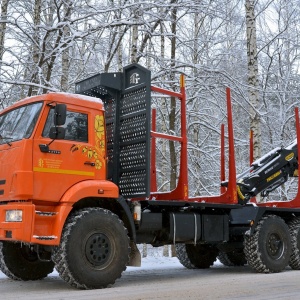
68,161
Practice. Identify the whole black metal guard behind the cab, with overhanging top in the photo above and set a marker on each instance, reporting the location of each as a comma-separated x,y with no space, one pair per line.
127,102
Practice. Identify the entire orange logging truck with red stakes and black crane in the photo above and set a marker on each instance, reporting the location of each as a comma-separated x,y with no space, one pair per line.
78,189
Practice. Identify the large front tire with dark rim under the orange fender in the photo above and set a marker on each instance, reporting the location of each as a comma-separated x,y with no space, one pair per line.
94,249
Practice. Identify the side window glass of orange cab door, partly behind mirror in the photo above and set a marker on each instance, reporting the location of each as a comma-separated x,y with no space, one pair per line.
76,126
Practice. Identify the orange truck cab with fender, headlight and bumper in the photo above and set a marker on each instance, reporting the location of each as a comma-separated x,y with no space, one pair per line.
52,152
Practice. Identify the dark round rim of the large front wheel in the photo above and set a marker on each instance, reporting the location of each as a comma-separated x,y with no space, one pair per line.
98,249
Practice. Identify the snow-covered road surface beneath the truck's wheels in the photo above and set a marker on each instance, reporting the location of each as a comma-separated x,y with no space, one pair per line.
165,278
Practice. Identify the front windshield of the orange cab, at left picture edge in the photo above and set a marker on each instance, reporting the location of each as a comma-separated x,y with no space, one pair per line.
19,123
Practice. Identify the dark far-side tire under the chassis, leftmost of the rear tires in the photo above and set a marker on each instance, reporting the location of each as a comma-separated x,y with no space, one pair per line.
196,256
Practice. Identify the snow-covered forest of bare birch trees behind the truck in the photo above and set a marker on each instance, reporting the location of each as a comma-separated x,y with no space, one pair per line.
250,46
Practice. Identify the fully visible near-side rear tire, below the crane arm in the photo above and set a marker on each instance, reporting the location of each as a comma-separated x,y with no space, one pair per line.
268,250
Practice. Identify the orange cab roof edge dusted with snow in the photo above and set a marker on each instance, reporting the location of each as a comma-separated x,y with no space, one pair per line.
68,98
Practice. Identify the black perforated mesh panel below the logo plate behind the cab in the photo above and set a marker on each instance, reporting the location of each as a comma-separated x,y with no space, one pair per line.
134,143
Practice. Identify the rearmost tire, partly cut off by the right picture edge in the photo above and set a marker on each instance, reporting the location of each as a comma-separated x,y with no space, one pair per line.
294,226
